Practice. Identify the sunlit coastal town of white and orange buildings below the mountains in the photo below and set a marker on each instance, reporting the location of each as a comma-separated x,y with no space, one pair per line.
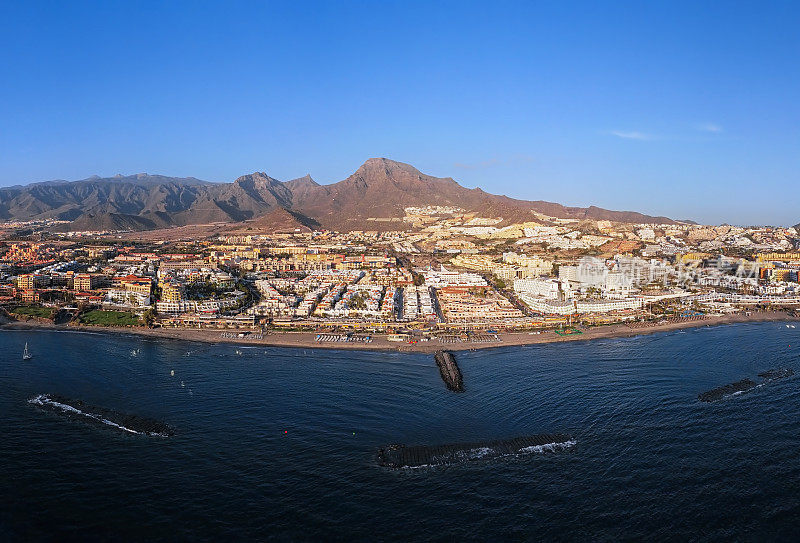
440,274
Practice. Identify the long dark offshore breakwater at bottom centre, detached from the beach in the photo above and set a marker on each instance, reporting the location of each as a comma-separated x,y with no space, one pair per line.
401,456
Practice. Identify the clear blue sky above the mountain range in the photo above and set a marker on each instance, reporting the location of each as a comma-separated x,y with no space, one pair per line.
686,109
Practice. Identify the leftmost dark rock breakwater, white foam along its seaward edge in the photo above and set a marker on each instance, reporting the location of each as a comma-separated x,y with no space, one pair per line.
79,410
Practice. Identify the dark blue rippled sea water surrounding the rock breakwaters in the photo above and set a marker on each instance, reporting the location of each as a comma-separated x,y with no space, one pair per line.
280,443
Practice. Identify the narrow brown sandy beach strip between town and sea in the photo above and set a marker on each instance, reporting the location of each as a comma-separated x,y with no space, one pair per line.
306,340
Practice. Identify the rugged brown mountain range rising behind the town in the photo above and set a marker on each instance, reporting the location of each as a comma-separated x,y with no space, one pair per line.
380,188
